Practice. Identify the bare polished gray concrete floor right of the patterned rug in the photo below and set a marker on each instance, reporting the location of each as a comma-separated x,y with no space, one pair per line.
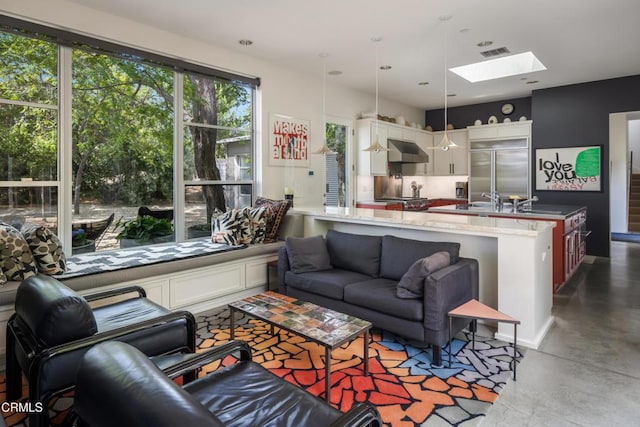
587,370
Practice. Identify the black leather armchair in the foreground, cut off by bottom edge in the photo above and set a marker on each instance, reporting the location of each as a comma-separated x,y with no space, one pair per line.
117,386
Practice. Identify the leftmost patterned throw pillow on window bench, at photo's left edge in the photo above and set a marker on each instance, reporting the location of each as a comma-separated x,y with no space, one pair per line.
16,260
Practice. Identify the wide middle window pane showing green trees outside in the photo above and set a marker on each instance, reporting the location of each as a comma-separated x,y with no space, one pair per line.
122,139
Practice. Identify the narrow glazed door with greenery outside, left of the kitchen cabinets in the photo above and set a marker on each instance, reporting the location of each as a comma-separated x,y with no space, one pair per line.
338,191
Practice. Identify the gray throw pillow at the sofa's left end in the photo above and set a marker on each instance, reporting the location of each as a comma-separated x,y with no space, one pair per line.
307,254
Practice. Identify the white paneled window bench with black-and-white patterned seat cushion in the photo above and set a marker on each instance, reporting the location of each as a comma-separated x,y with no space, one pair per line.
195,275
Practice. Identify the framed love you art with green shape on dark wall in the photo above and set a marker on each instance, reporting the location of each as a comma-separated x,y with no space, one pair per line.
569,169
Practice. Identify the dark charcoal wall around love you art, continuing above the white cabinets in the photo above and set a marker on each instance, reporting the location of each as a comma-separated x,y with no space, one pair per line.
566,116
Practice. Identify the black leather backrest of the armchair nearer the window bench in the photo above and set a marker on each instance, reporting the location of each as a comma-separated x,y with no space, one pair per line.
52,311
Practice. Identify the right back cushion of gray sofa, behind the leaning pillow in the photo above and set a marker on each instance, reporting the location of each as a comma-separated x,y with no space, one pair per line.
399,254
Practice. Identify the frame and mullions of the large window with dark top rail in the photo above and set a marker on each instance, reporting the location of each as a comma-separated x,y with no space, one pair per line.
67,41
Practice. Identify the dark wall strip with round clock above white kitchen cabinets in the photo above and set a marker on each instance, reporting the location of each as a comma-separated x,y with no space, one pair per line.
466,115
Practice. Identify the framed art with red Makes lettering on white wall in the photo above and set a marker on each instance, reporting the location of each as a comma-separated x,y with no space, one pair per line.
288,141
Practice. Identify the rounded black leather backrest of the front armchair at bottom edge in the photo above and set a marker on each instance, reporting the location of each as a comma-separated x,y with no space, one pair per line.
117,386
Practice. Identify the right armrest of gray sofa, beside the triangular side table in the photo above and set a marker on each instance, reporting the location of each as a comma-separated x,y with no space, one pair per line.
448,288
